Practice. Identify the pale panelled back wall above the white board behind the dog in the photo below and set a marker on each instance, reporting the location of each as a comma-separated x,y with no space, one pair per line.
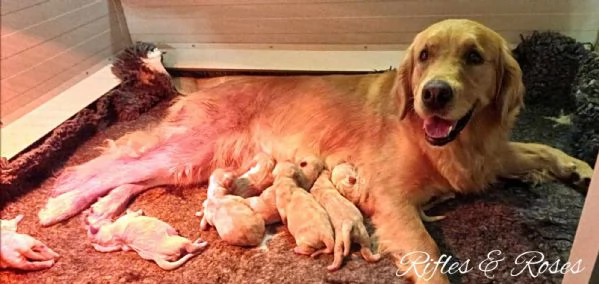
367,22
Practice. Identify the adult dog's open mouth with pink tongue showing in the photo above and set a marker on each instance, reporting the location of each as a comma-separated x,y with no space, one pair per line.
440,131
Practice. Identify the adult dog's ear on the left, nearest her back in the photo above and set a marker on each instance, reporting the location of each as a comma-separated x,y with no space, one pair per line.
403,84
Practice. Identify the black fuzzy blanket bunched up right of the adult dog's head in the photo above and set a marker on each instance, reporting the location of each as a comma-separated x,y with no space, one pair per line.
562,78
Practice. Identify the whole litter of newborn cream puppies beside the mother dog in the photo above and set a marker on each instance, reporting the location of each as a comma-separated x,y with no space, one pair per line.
300,196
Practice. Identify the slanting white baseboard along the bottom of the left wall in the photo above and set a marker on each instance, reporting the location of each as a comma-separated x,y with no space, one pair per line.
24,131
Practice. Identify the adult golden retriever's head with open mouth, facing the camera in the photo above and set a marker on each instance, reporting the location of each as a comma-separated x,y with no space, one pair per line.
457,72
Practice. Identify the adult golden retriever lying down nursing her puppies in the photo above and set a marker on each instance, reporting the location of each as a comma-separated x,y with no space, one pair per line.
439,123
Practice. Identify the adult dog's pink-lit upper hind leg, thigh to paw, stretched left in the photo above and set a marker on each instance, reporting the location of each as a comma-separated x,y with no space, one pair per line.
182,149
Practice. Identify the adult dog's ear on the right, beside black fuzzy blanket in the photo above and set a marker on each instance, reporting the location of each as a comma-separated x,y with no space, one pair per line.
509,95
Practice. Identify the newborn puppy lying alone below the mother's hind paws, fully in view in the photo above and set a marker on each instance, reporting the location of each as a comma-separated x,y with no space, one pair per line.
150,237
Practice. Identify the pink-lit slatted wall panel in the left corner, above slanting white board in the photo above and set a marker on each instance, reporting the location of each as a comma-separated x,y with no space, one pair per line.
47,43
